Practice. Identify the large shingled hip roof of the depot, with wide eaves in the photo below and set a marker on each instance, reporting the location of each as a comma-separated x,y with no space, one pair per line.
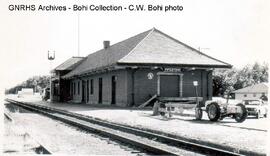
147,48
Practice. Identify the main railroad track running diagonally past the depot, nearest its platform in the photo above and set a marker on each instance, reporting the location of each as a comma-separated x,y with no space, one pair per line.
149,141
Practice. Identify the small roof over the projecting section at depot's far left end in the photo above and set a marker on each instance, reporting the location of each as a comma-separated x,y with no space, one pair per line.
69,64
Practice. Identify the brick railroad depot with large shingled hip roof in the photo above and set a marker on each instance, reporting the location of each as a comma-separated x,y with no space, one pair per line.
130,72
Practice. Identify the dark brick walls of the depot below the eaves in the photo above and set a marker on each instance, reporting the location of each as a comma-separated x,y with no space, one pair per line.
135,86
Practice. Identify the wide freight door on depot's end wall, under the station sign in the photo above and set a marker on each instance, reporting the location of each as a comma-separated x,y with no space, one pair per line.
169,85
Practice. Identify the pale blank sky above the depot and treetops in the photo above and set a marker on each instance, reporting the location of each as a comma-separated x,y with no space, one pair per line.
236,32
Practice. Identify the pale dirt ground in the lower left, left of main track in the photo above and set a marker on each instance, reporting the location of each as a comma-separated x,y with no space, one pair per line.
28,131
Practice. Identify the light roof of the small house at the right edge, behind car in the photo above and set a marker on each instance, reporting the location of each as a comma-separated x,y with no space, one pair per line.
257,88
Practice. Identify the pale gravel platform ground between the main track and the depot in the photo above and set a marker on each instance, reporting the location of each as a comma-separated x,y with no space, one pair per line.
248,137
